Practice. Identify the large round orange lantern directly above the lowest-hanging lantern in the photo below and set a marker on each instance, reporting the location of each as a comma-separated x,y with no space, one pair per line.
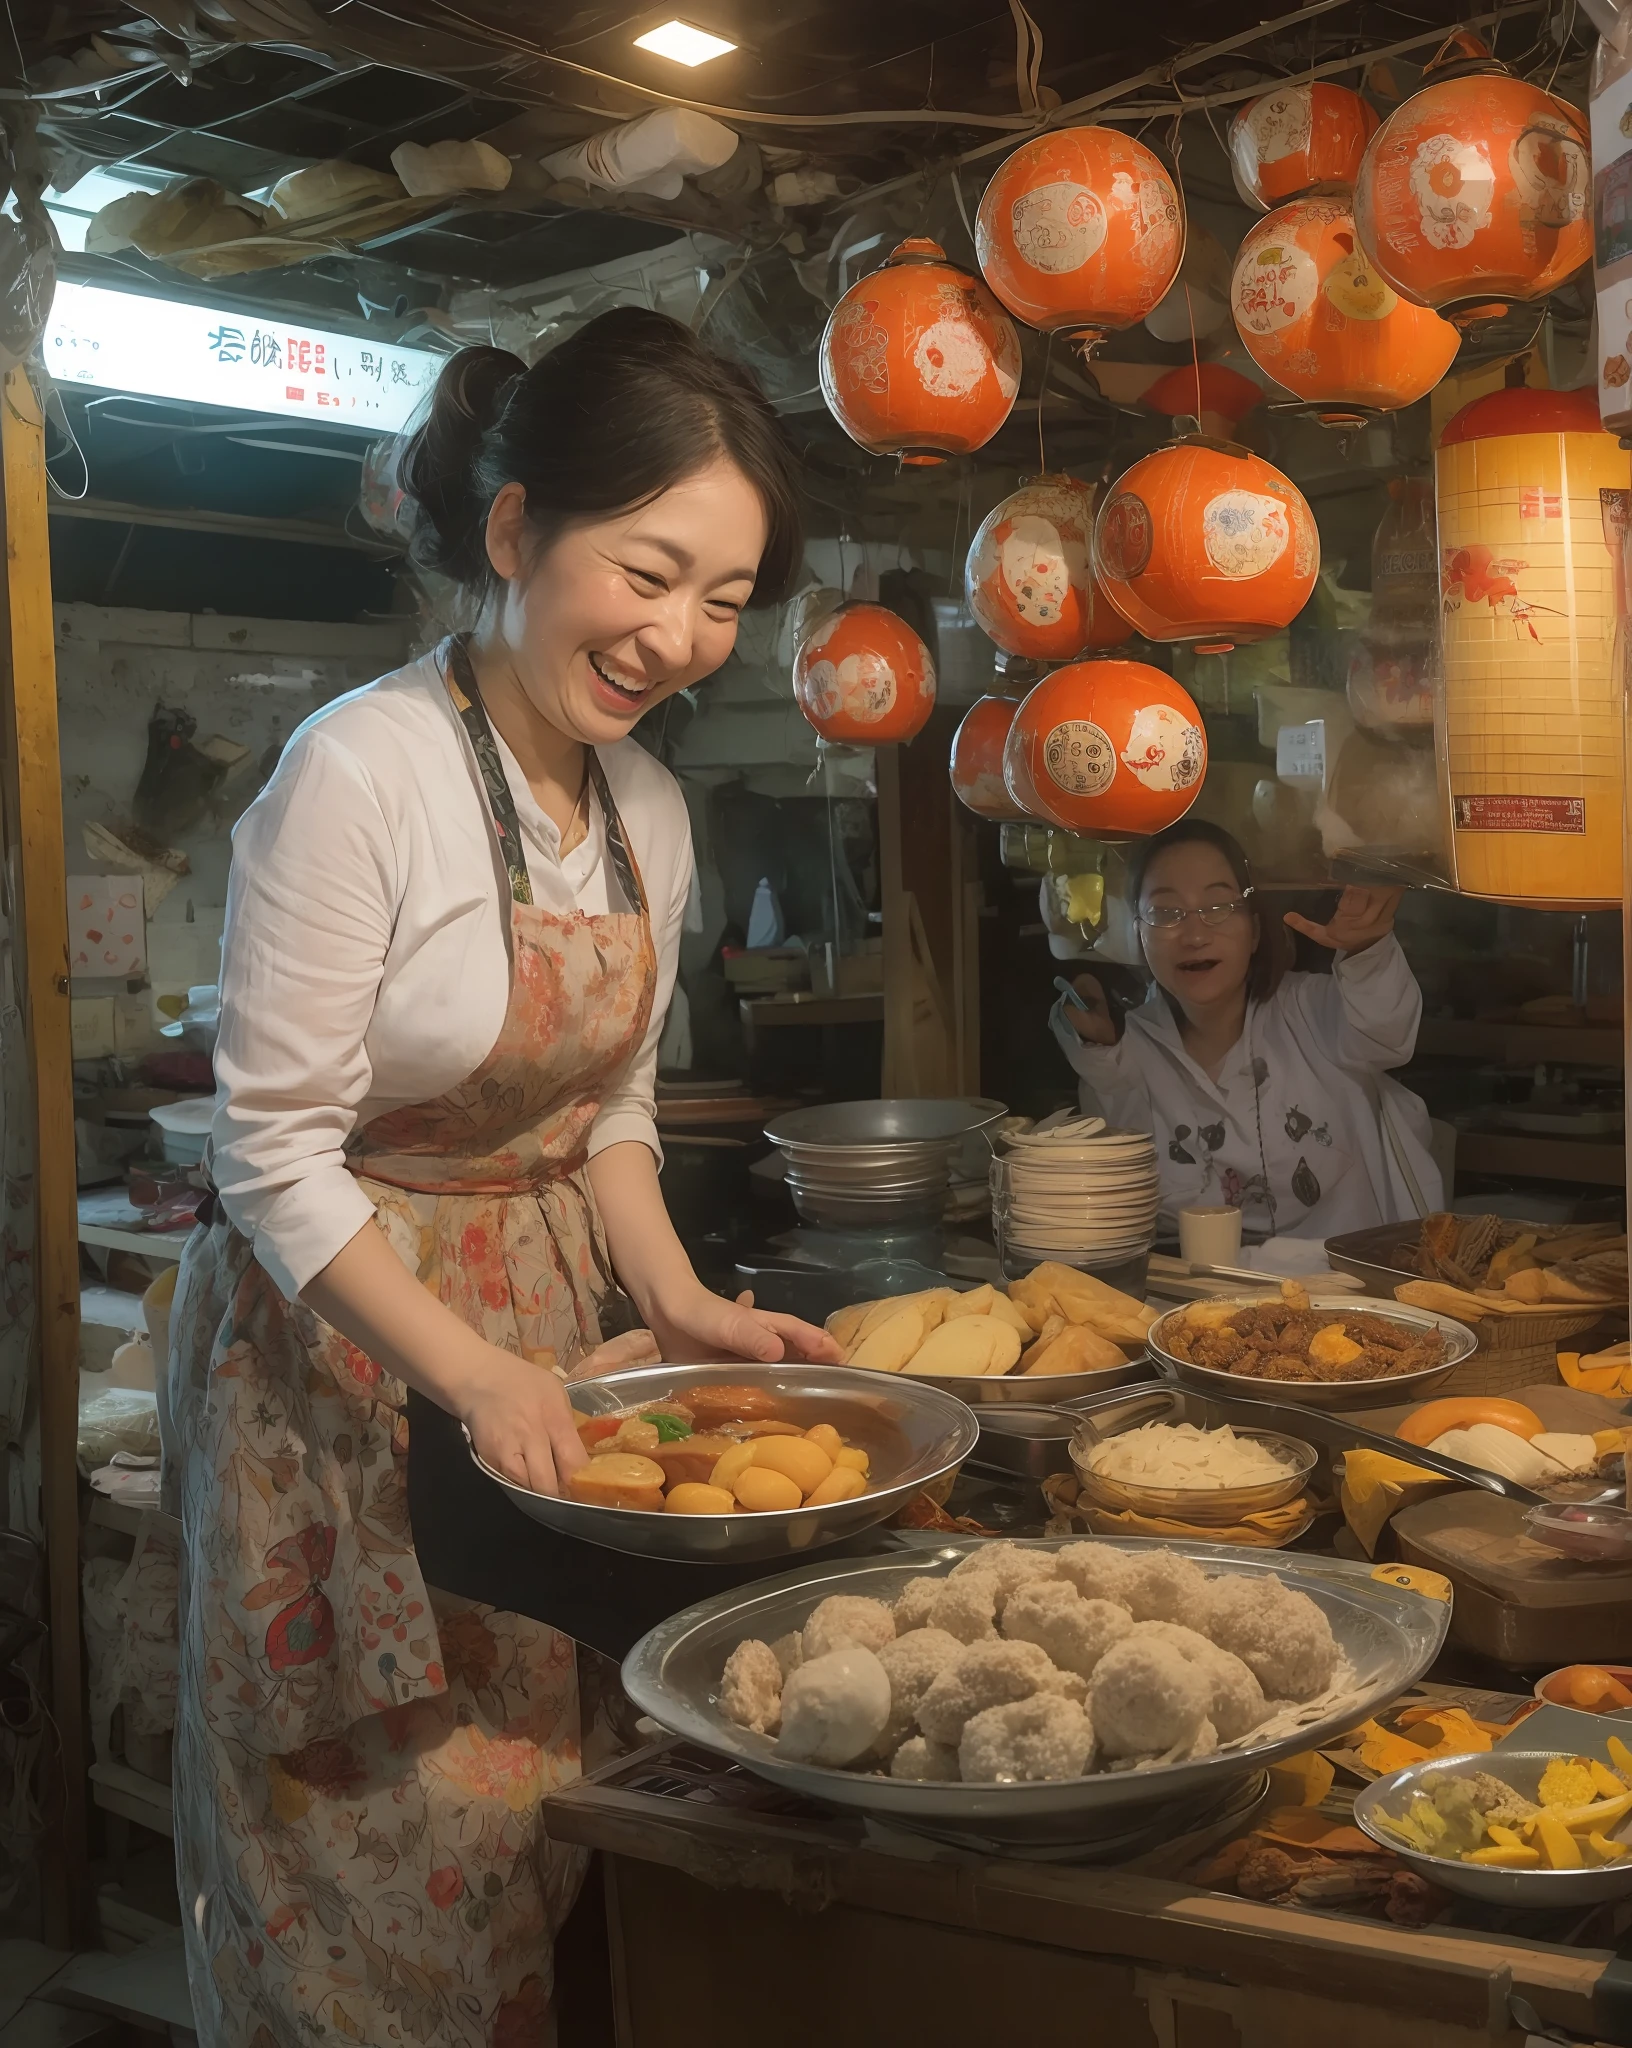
1207,544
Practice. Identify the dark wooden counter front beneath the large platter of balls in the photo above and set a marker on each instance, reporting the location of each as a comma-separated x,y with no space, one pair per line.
793,1930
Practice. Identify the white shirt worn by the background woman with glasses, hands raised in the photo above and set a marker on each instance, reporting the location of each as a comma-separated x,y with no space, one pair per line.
1293,1127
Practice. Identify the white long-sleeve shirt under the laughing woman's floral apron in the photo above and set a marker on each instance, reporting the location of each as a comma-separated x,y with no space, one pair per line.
366,962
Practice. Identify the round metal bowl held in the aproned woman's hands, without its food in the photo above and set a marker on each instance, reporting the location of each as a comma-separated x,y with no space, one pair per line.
912,1431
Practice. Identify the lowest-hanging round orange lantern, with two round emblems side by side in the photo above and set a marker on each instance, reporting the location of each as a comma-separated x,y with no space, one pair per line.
1109,749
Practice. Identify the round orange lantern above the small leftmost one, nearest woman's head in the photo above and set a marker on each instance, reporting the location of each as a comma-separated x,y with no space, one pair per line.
918,359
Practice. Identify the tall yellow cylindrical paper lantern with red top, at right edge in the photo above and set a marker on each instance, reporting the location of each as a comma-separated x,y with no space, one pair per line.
1533,509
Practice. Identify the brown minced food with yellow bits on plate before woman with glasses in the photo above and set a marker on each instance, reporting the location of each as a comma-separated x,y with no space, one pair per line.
1289,1340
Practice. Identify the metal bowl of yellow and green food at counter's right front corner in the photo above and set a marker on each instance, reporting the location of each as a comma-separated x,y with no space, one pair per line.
1520,1773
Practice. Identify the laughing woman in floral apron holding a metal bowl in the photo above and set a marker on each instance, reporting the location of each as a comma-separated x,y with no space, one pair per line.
454,927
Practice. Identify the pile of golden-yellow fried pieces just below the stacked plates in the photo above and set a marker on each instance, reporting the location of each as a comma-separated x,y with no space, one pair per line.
1056,1320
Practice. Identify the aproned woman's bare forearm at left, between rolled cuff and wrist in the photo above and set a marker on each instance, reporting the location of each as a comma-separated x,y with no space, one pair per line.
372,1297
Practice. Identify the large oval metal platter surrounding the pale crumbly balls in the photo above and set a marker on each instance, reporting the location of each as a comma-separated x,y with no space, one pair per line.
673,1674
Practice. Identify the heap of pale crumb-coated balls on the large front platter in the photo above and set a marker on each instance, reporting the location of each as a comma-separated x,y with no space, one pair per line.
1025,1666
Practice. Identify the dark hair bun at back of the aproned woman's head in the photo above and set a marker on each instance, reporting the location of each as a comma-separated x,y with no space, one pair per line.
441,468
